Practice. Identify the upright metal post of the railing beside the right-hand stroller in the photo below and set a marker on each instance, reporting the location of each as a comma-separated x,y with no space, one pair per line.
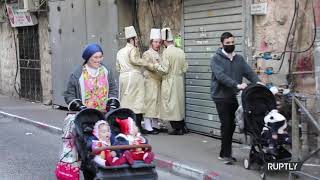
295,132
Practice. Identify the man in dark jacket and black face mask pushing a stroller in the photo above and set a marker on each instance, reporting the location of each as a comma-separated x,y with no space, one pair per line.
228,70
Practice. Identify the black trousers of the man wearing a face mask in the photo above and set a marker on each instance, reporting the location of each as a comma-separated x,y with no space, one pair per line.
226,111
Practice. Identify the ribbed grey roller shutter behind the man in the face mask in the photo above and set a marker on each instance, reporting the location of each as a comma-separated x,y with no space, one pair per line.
204,21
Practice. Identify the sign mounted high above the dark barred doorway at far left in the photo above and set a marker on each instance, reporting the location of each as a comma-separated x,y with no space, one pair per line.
18,18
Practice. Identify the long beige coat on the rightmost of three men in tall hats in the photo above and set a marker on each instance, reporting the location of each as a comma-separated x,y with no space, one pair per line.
173,67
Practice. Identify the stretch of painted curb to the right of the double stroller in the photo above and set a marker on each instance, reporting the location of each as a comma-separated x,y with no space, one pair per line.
185,170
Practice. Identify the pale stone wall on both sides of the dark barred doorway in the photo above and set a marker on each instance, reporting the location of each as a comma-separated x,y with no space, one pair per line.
8,60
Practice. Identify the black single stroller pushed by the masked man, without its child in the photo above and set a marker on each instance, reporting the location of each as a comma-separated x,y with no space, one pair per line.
257,102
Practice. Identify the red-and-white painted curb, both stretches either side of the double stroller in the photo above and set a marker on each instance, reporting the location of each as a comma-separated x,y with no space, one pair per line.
161,163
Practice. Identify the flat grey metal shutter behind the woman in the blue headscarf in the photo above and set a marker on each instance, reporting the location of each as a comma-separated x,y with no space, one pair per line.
73,24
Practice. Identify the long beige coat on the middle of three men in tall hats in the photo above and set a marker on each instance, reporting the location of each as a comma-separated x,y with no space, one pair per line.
152,82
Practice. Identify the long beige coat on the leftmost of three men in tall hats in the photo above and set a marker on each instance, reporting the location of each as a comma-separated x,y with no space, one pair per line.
131,81
